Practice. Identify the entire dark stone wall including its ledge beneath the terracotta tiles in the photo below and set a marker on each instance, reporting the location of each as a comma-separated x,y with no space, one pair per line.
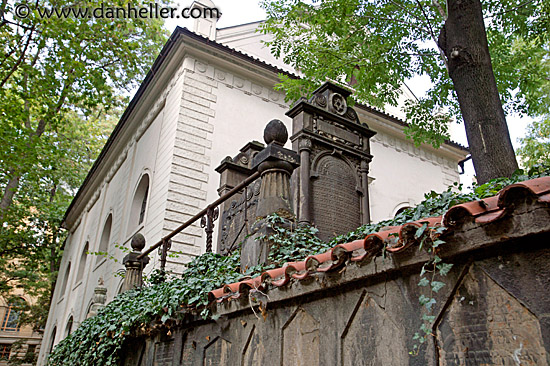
493,309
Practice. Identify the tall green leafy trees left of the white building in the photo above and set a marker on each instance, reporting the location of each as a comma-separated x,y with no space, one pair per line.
61,81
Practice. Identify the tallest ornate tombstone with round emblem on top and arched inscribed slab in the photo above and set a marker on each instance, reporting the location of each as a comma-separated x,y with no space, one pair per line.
332,182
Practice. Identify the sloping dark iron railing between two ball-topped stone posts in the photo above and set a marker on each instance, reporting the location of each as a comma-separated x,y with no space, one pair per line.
207,215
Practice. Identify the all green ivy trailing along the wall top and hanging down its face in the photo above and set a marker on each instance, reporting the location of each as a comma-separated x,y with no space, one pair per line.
98,340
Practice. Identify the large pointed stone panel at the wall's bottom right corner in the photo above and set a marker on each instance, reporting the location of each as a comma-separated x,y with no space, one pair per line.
486,325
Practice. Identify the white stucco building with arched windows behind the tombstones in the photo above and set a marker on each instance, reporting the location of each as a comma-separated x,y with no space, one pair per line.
206,96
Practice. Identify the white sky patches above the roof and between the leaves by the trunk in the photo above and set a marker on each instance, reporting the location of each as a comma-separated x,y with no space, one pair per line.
235,12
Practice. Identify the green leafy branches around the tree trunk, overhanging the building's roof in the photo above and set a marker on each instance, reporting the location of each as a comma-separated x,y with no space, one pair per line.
383,44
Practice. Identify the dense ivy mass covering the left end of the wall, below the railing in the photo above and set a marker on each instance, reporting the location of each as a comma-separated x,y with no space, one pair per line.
98,340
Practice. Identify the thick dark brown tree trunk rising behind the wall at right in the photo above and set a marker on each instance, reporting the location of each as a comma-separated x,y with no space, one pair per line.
463,39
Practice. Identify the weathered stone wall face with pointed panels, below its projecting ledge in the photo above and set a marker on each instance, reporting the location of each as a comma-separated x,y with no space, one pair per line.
493,314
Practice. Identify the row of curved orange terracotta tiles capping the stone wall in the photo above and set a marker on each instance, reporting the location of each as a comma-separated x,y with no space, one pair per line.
396,239
